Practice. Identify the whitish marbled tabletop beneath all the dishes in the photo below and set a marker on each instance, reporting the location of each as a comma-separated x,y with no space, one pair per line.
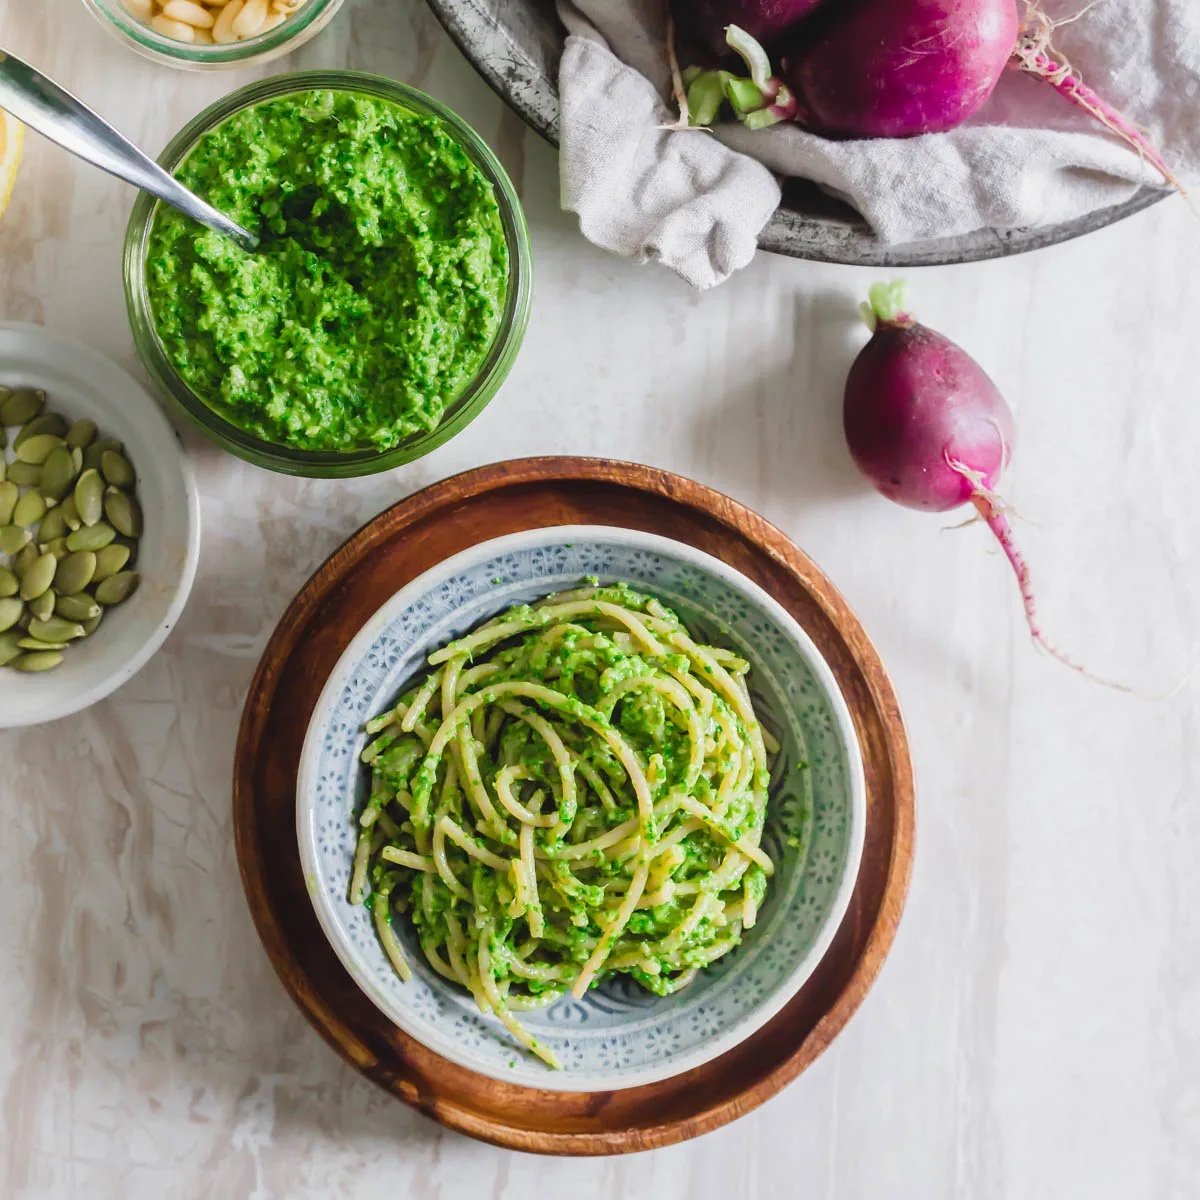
1037,1029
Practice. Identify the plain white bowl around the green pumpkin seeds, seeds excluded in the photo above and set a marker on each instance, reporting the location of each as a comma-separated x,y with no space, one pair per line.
80,382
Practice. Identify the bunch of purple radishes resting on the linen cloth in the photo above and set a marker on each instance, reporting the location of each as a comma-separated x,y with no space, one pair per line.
869,69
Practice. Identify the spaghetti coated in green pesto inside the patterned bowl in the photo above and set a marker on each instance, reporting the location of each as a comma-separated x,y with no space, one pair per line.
577,790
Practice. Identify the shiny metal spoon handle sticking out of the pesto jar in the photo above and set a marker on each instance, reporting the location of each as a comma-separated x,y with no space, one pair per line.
44,106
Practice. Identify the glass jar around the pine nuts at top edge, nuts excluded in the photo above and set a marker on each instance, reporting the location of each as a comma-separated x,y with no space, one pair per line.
305,23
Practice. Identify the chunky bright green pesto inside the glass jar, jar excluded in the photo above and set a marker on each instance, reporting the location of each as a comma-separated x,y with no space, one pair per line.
379,290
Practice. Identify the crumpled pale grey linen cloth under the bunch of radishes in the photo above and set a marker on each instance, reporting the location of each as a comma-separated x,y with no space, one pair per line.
697,202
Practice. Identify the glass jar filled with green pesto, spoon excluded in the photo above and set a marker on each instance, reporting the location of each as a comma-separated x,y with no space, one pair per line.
389,296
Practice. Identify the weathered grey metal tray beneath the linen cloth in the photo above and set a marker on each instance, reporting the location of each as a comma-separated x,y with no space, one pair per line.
515,45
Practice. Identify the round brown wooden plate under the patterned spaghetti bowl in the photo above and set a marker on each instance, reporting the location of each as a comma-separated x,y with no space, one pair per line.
332,608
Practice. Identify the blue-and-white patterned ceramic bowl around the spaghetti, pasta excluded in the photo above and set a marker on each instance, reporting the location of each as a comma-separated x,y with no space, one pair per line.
619,1036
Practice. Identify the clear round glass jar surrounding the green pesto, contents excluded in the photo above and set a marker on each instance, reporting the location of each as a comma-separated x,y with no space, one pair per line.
279,457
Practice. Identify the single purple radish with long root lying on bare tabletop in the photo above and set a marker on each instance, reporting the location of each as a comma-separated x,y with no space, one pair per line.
931,430
